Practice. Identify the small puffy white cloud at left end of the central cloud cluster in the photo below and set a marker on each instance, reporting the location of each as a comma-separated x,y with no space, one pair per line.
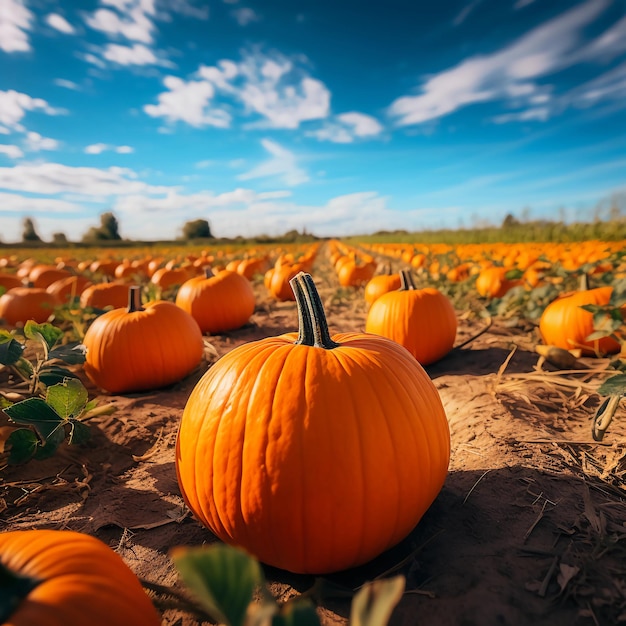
188,102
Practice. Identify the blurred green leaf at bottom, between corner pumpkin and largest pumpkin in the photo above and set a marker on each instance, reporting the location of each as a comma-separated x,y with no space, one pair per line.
222,578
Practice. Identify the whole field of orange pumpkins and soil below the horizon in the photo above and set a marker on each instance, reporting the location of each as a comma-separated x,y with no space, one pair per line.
443,418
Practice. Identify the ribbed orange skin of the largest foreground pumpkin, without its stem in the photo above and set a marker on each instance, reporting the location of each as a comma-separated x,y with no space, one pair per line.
313,460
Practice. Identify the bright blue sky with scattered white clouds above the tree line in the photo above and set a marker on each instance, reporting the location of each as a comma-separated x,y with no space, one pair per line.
342,117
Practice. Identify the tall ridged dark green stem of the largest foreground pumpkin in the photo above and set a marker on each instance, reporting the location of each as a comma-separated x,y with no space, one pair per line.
313,327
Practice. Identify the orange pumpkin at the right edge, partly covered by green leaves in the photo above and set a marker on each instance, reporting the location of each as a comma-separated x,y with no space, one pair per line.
564,324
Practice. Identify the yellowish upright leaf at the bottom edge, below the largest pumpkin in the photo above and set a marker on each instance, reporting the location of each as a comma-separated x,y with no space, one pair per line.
374,602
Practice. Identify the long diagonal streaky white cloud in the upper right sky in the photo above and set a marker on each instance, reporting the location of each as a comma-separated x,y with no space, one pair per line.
546,49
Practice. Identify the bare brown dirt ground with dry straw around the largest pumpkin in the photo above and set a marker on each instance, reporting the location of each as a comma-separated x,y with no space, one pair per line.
530,527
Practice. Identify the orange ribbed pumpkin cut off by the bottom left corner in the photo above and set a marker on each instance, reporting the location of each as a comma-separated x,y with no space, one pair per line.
84,581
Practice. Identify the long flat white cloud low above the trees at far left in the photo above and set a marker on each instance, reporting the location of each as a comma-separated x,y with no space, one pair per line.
55,178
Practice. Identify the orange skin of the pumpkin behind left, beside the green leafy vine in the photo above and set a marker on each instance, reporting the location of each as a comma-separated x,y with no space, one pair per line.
142,350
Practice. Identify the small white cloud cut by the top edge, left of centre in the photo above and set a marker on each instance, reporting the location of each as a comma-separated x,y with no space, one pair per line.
132,19
